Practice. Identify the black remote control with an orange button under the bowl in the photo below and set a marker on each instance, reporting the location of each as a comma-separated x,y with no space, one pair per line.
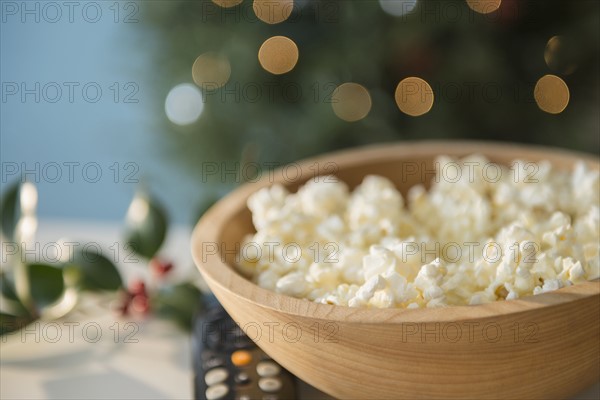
230,366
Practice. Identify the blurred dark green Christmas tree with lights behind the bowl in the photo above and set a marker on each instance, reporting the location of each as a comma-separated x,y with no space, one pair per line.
482,59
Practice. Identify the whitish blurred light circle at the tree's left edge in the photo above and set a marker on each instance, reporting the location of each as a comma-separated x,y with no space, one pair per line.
184,104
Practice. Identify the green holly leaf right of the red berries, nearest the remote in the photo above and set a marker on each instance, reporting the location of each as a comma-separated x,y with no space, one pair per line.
178,303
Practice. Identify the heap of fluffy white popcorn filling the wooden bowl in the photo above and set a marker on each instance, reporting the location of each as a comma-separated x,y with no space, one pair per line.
515,231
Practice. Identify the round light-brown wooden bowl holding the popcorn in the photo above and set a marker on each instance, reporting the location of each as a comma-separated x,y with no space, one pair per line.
544,346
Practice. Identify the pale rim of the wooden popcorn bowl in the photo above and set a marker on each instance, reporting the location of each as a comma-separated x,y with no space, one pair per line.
218,273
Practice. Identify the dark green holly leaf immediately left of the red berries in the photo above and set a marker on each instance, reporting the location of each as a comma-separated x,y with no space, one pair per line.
90,270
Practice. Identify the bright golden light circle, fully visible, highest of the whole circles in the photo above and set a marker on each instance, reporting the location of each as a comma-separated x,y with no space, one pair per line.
278,55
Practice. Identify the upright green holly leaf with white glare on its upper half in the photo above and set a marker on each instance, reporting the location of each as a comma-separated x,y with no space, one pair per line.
146,225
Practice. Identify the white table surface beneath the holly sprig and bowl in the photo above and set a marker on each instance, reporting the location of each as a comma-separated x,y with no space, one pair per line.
153,363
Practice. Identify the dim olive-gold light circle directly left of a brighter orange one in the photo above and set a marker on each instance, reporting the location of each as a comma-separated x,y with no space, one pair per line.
351,102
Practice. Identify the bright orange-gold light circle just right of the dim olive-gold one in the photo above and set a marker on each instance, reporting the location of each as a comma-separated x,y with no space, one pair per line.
414,96
